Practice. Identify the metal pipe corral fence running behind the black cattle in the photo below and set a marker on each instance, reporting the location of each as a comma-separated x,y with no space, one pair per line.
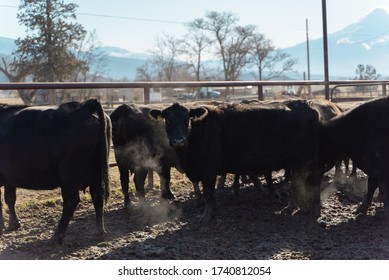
114,93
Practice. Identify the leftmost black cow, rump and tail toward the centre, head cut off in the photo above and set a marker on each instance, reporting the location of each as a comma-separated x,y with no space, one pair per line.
46,148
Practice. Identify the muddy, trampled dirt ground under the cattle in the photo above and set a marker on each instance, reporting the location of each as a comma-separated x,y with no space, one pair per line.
246,227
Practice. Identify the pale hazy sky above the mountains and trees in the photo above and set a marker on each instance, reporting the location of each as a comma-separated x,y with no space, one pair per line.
134,24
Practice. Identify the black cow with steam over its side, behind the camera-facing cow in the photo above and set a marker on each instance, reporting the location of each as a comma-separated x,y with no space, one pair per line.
141,145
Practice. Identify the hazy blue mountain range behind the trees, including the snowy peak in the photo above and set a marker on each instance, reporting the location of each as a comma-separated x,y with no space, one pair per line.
362,42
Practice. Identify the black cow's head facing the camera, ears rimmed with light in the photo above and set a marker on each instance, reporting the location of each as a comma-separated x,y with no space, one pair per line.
177,121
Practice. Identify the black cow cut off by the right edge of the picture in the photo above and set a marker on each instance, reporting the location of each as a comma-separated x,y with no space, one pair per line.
362,134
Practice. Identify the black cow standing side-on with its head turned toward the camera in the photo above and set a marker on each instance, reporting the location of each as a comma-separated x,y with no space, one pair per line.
245,139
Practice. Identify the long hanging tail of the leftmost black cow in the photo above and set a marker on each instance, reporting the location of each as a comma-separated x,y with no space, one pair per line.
104,145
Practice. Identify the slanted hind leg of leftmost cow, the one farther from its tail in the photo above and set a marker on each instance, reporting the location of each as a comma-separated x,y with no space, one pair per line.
71,198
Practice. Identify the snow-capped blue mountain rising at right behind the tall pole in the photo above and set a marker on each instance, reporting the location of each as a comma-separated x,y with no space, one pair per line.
363,42
